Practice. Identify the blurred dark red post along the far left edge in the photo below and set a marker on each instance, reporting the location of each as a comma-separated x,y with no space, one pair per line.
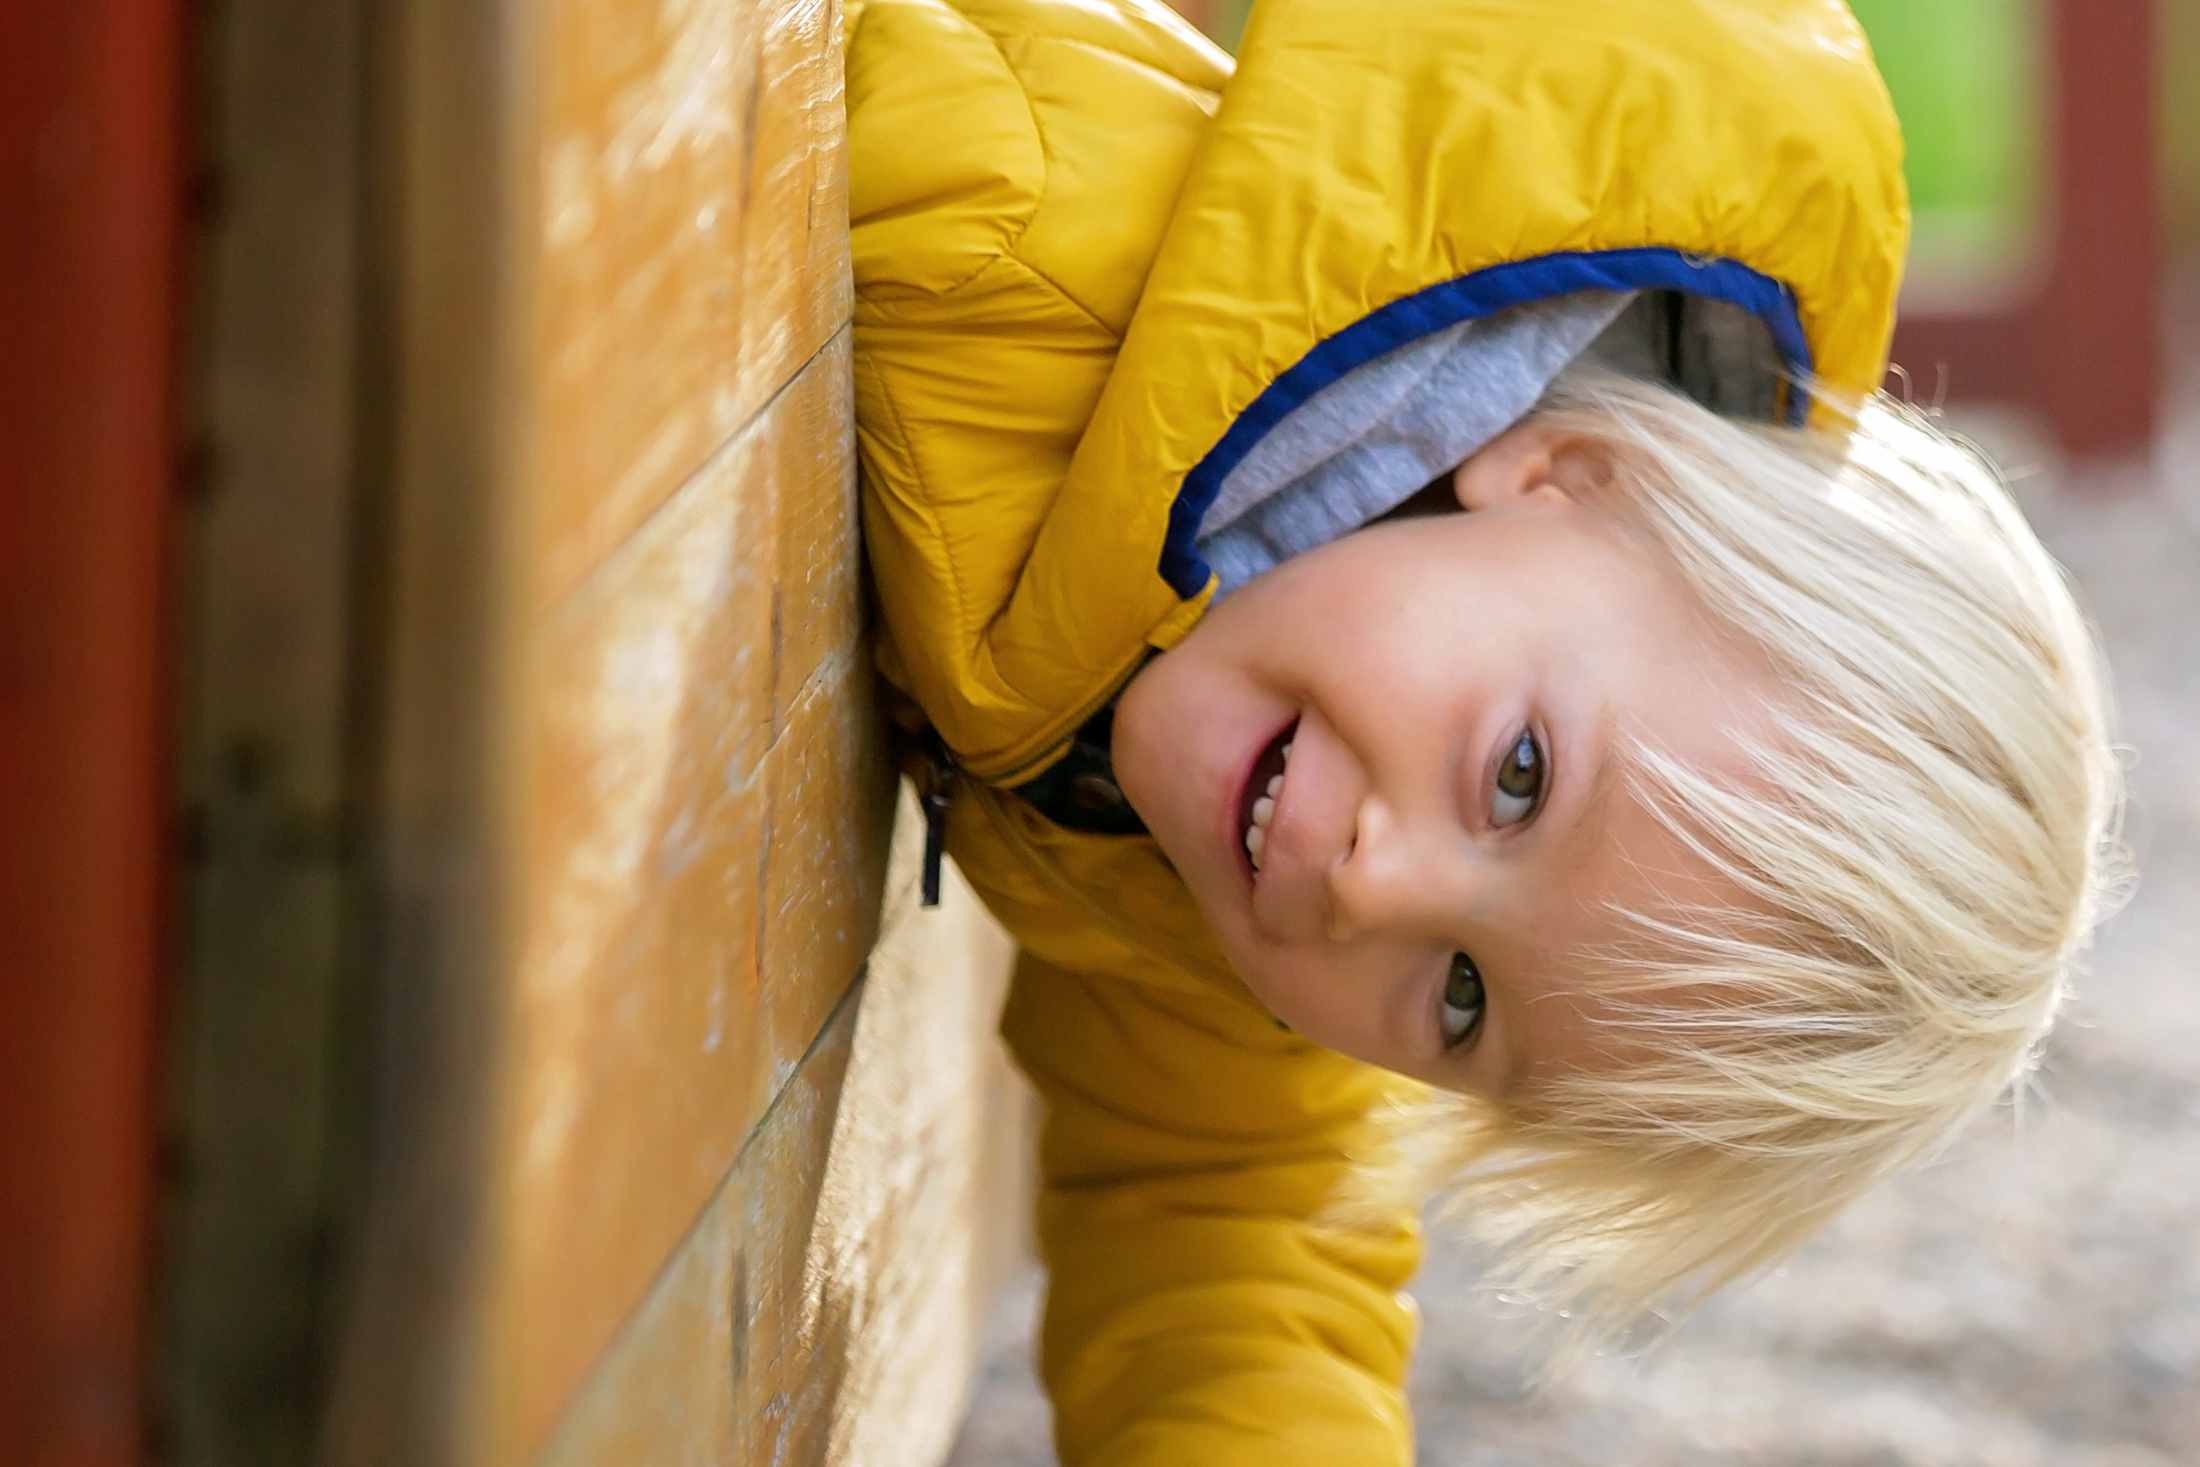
89,188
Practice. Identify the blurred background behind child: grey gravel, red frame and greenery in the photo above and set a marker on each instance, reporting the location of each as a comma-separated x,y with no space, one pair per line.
2036,1299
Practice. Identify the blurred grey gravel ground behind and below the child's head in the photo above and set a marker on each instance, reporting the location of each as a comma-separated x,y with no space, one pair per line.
2036,1299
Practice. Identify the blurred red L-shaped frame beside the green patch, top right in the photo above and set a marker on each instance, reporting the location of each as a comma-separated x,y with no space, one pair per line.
2082,344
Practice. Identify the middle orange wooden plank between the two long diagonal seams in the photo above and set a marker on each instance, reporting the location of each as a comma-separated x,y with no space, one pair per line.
701,876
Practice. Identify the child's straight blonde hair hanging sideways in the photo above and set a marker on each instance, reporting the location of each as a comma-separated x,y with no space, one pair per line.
1924,846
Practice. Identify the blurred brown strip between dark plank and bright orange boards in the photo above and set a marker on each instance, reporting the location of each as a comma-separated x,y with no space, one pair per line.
445,307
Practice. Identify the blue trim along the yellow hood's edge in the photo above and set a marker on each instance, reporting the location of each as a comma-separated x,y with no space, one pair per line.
1449,305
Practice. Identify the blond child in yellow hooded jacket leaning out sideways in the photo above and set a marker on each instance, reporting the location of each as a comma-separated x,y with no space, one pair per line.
1684,837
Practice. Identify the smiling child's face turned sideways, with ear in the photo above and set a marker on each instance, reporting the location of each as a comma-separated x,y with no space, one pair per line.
1453,694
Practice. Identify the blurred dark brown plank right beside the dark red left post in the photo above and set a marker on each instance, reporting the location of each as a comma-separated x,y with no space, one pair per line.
254,1189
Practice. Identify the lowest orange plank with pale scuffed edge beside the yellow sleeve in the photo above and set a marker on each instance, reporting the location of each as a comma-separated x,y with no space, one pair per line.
826,1303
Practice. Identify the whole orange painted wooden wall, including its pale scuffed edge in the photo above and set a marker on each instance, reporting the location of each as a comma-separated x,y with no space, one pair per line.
668,1191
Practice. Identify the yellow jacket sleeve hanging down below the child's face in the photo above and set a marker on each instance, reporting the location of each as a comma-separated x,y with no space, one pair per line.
1198,1310
